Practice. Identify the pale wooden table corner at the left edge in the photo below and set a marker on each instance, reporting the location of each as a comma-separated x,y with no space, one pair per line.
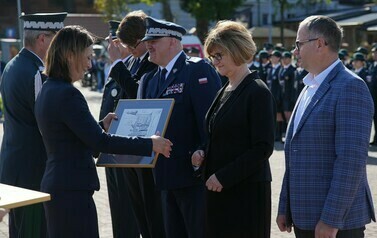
12,196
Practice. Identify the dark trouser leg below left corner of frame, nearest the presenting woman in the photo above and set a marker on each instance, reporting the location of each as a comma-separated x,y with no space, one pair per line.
122,214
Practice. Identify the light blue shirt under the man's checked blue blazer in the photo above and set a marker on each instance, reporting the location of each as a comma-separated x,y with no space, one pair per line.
312,82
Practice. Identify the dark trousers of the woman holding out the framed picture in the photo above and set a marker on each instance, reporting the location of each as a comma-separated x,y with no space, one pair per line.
71,214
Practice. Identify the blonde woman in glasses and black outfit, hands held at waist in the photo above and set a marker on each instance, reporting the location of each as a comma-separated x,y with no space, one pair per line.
240,125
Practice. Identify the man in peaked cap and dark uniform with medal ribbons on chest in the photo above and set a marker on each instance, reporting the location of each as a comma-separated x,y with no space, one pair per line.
193,83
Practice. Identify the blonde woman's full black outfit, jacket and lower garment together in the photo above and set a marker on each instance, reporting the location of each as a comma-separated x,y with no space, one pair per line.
241,140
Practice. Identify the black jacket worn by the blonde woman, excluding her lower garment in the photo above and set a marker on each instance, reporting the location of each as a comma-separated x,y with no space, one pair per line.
242,135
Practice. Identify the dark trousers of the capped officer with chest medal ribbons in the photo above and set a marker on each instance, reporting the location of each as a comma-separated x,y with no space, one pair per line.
184,212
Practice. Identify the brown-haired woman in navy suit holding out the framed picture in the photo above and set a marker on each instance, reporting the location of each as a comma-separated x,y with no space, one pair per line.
71,135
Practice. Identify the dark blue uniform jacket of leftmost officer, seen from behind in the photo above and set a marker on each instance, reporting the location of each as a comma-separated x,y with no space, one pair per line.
23,155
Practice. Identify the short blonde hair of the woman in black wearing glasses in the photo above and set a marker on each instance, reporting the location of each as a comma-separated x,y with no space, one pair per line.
232,37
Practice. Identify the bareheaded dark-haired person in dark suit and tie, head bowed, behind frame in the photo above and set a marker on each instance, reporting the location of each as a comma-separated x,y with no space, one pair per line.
144,198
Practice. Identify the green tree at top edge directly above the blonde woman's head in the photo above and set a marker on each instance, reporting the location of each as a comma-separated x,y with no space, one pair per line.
205,11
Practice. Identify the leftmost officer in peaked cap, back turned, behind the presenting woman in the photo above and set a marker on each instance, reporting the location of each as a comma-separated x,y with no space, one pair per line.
23,155
